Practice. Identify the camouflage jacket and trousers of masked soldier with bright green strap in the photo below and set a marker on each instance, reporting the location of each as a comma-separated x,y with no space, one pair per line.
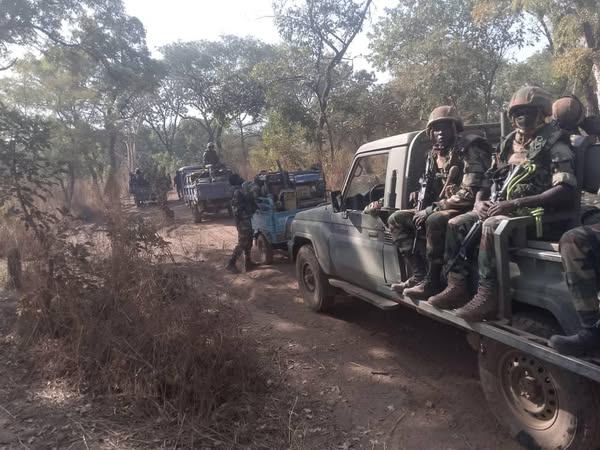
554,166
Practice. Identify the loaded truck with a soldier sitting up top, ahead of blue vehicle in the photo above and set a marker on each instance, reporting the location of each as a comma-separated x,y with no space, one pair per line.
207,190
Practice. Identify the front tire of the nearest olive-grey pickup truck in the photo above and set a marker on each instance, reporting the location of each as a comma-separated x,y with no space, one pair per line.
312,282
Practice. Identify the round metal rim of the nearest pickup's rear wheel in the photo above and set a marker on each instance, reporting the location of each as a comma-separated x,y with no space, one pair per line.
530,390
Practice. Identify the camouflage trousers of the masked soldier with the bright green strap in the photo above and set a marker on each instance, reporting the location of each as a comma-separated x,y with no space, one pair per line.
458,228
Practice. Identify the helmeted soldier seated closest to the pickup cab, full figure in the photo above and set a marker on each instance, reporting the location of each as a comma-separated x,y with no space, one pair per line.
454,174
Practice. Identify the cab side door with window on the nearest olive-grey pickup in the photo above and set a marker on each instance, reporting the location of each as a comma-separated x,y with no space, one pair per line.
357,238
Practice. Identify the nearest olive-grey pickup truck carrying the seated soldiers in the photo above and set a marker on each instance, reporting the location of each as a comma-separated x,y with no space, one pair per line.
546,400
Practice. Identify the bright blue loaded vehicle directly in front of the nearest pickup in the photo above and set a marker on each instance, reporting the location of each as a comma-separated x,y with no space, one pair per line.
282,195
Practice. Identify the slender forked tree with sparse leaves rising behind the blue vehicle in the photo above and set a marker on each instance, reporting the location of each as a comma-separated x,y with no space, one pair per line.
322,31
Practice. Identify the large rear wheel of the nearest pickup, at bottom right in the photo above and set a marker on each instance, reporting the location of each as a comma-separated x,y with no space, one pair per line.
542,406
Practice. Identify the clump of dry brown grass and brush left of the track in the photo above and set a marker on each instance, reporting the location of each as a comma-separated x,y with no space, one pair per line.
125,323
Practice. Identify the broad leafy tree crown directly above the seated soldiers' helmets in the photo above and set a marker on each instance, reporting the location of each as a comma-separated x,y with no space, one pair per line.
446,53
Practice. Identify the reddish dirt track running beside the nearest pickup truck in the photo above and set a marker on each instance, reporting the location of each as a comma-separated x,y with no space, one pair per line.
363,378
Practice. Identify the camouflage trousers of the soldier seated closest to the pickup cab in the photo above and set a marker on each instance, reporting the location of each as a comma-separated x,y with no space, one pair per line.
430,241
